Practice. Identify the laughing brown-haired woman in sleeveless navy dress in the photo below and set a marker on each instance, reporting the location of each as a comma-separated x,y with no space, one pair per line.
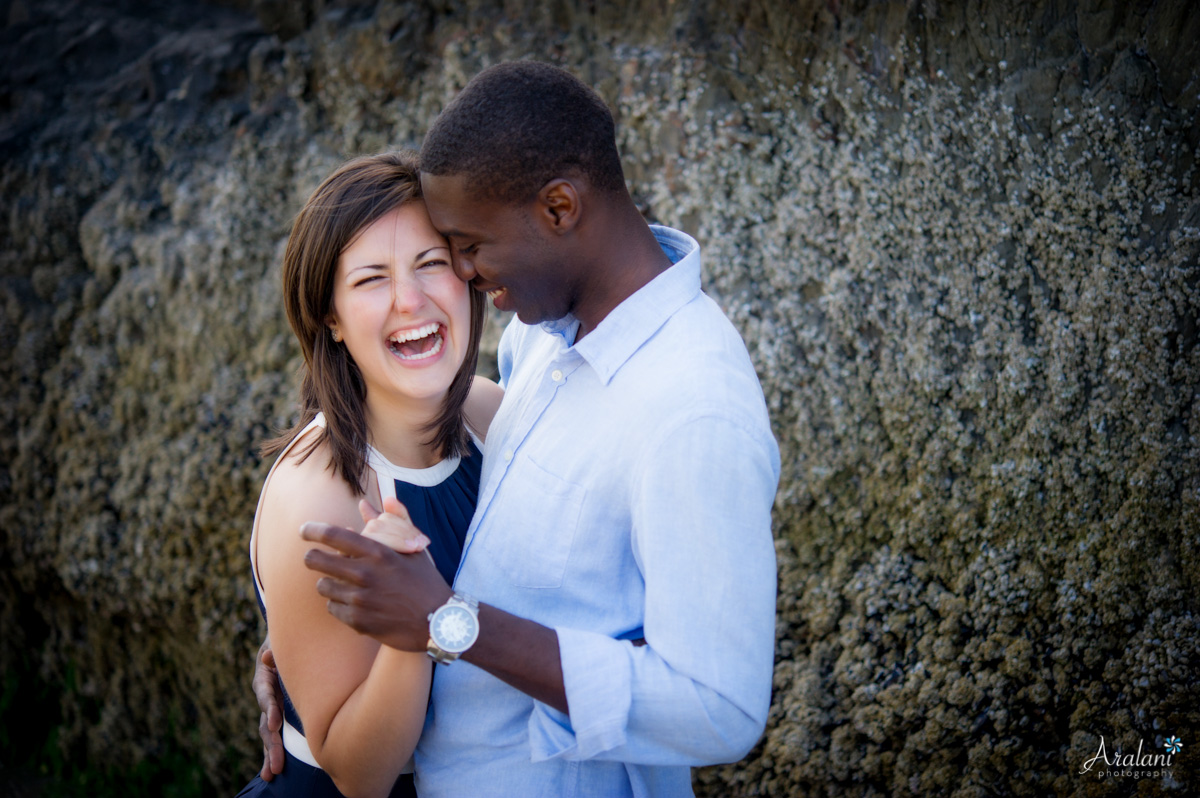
389,409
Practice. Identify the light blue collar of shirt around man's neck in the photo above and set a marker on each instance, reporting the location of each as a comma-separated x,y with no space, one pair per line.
632,323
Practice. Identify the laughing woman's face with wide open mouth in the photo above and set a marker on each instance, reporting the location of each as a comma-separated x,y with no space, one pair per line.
400,310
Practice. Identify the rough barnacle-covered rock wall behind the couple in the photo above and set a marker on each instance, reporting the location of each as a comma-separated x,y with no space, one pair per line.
961,239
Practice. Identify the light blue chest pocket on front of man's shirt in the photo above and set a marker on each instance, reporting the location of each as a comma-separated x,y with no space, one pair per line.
536,525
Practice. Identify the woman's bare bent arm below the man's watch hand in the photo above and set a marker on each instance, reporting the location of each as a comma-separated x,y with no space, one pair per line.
363,705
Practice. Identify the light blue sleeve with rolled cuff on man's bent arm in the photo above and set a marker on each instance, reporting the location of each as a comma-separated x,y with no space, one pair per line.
699,692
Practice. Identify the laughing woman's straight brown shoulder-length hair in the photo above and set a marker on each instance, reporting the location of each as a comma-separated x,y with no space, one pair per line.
356,196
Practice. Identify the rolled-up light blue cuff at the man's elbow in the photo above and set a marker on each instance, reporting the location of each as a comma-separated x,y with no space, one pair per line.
598,679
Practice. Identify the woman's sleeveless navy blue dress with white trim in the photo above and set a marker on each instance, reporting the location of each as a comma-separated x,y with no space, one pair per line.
443,513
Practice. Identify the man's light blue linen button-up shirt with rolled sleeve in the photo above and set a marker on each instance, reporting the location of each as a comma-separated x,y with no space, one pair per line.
627,491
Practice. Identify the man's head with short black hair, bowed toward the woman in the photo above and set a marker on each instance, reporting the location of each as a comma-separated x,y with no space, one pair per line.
508,170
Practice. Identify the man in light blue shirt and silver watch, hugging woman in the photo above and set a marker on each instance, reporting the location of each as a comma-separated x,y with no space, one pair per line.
621,554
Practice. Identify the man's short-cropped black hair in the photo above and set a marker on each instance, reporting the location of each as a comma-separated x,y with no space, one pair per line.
519,125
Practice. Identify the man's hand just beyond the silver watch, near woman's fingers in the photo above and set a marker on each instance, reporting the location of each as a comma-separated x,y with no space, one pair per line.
375,591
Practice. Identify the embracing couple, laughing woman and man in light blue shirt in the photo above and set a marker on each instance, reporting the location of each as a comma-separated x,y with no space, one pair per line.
584,551
